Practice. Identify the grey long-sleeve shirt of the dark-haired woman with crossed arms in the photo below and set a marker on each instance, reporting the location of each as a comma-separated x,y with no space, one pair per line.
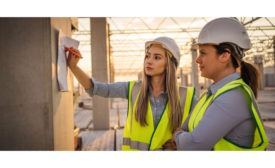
228,116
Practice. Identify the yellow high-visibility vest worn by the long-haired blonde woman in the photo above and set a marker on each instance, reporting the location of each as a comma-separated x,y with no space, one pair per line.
137,137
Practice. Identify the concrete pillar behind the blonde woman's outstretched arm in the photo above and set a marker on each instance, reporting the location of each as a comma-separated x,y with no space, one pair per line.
100,70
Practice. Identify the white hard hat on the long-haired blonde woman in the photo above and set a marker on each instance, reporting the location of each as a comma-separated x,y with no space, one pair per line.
167,43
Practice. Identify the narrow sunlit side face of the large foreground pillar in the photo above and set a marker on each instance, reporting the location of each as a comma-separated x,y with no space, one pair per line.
63,121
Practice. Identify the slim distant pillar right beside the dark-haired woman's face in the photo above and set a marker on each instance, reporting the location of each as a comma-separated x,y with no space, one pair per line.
195,77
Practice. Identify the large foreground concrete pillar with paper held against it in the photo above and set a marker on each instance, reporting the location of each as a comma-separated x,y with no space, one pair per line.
34,114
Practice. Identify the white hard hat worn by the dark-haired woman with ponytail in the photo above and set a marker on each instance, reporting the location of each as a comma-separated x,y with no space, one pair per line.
224,30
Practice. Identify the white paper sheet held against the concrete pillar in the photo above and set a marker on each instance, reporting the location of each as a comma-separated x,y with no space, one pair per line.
62,70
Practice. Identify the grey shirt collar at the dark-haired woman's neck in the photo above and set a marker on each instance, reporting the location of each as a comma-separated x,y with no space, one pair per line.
214,87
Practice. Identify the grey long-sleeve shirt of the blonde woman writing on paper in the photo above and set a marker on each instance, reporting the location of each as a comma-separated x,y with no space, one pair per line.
120,90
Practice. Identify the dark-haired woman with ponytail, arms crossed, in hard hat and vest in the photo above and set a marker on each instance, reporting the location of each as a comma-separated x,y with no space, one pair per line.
226,116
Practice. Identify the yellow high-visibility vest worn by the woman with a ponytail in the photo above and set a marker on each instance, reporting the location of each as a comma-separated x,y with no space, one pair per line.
260,141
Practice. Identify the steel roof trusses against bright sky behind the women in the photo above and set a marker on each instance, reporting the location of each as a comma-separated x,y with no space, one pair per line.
128,35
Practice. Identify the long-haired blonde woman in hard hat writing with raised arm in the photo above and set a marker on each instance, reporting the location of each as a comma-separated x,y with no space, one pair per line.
156,104
